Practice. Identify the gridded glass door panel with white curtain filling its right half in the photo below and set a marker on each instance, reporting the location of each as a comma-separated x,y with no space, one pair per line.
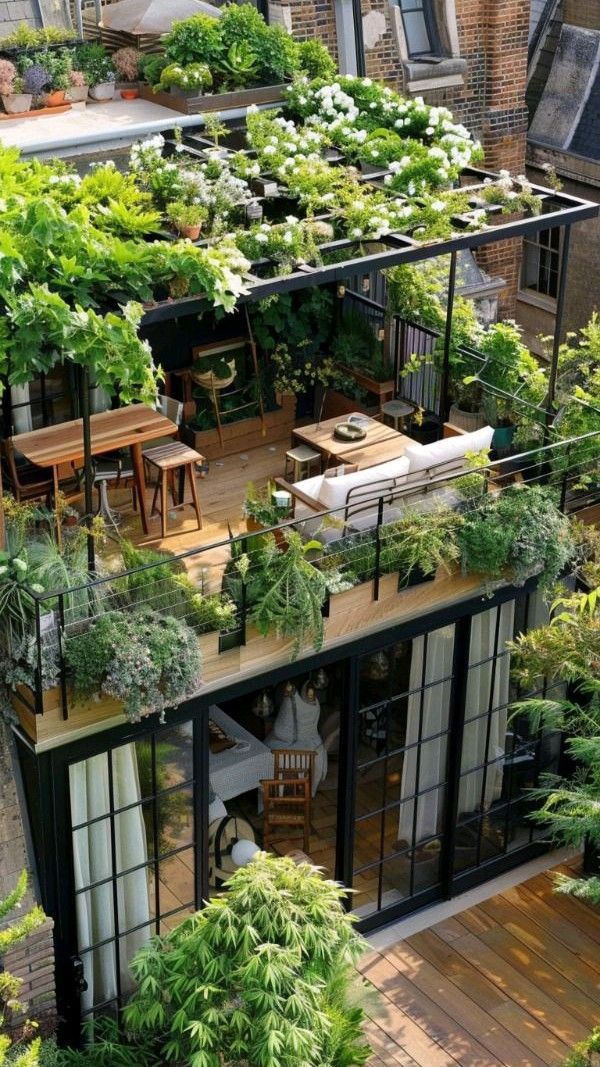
402,773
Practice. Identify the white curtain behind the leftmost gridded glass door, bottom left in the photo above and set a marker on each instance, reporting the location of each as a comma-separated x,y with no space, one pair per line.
90,800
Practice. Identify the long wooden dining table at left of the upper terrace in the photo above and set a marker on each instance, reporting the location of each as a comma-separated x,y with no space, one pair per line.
130,427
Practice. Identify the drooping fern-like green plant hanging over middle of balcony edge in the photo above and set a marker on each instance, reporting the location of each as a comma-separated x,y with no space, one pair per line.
288,593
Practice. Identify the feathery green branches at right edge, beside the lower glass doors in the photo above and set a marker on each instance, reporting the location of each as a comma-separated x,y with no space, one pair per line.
567,650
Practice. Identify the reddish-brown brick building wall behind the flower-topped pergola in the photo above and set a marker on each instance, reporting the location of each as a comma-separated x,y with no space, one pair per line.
486,91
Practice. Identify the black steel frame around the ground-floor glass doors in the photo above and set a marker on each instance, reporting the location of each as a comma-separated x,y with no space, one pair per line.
54,843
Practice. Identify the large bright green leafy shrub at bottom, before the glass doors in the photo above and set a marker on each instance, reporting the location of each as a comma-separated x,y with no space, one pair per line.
262,977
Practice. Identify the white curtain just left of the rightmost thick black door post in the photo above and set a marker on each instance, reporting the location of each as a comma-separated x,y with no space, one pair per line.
433,760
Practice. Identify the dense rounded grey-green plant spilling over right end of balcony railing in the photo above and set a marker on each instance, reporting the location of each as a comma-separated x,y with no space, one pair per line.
520,531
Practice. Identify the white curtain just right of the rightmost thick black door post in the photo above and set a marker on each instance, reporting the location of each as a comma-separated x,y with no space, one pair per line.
478,746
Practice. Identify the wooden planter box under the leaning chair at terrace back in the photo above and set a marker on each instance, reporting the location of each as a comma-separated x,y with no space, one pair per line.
247,434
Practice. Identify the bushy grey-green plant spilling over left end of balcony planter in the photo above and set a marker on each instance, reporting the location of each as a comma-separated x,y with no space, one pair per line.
149,662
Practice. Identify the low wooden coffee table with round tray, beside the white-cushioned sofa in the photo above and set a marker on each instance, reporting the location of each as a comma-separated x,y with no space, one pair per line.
381,444
